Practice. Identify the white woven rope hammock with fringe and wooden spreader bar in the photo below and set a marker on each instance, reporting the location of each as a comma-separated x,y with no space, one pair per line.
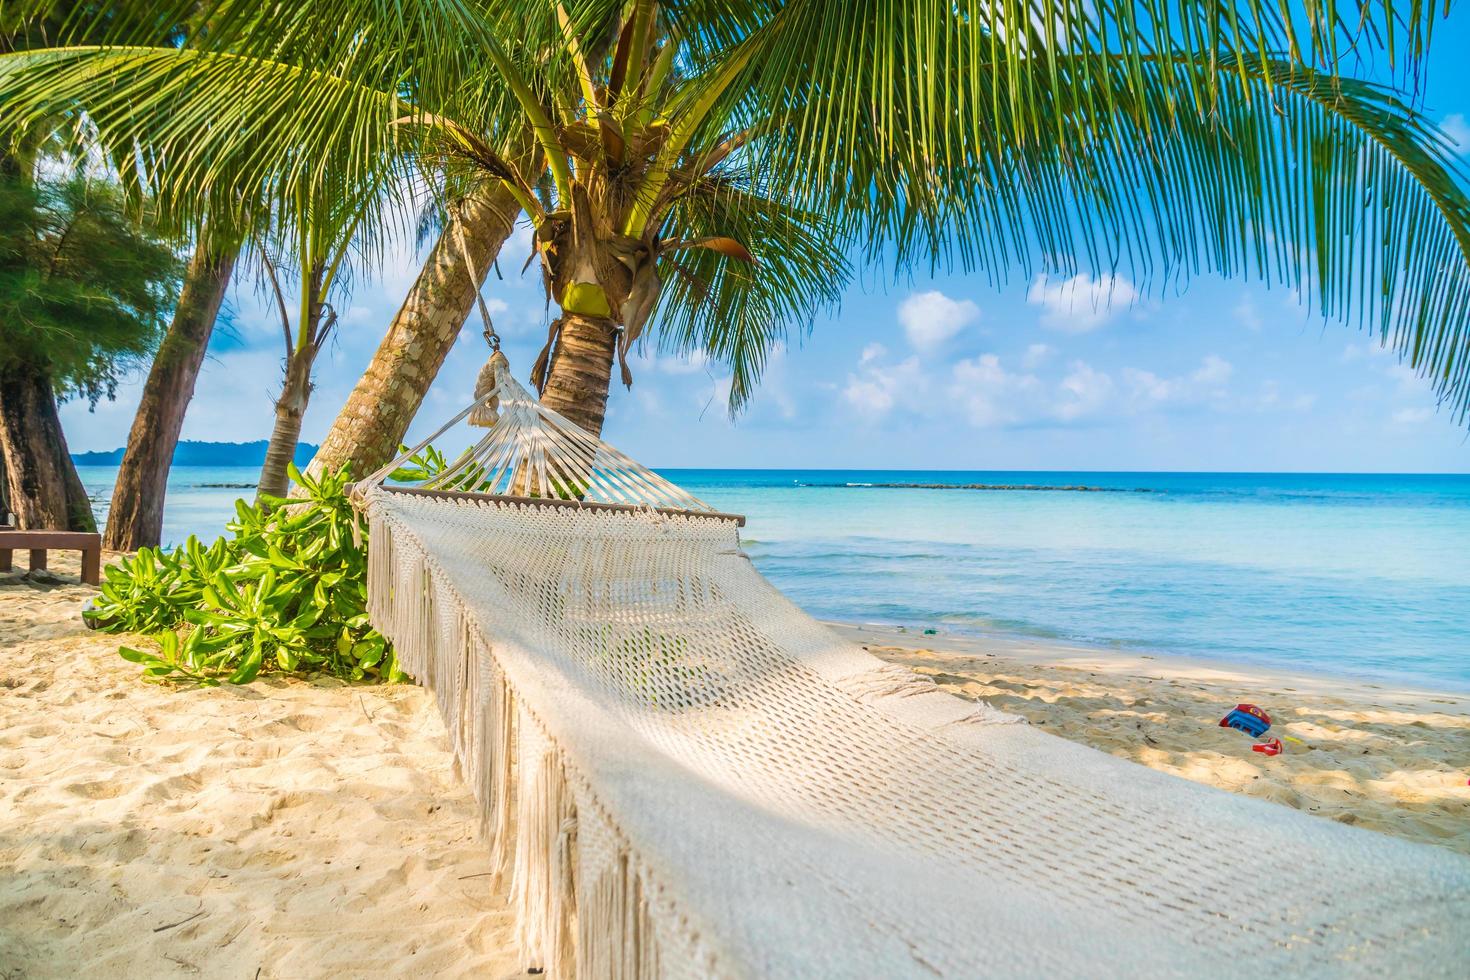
687,777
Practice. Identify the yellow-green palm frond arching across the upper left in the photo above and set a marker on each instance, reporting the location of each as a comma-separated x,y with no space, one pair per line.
212,133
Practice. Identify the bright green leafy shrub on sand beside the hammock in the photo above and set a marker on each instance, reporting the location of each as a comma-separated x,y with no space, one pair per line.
286,594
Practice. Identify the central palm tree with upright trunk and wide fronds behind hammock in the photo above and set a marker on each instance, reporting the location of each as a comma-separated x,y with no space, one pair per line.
709,164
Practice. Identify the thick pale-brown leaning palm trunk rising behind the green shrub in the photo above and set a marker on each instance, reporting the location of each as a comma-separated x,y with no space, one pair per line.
373,424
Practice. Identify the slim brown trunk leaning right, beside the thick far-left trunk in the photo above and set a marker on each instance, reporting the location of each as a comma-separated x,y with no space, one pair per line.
136,518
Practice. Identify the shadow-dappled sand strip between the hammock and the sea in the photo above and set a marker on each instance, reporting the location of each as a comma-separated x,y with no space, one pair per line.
1369,754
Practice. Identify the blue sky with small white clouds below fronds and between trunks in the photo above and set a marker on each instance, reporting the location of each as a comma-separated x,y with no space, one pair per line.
946,372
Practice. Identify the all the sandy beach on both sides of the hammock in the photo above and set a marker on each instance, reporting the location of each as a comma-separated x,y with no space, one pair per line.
295,829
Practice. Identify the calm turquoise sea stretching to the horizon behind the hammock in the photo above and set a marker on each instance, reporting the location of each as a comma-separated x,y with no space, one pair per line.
1353,575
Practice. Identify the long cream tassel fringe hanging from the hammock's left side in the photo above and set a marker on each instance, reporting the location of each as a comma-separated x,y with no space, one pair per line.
580,910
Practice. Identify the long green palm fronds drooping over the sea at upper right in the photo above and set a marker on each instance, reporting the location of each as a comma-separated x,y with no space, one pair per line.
1158,139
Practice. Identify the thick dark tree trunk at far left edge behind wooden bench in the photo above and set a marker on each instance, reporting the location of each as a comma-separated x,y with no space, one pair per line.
46,493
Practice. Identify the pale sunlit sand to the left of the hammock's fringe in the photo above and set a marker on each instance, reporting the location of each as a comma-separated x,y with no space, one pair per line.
277,831
